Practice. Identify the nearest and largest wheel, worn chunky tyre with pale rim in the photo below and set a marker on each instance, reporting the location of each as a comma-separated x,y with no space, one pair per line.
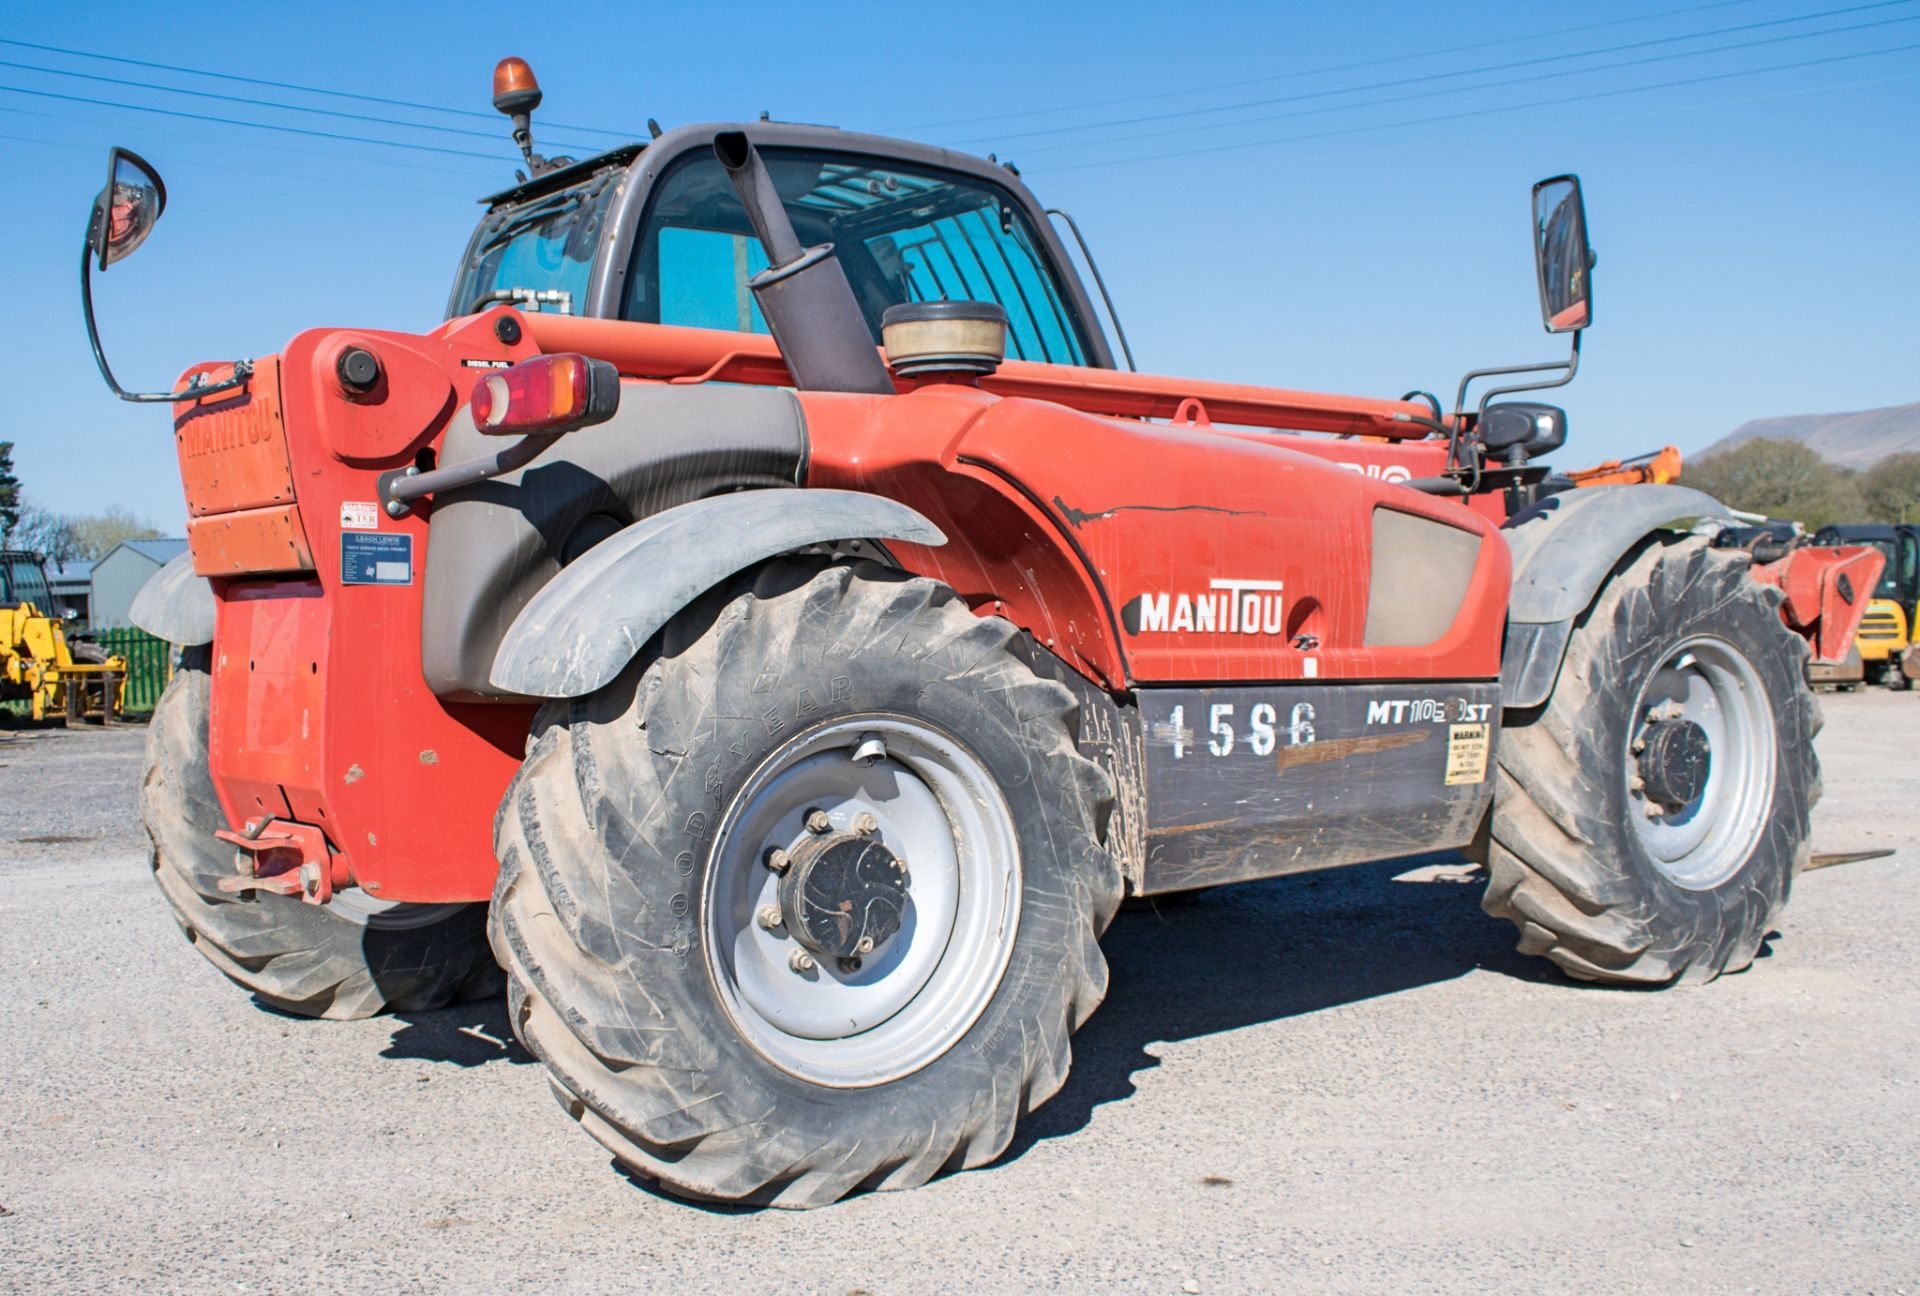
811,900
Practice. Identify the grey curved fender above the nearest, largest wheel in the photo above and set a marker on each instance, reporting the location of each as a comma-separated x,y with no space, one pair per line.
588,623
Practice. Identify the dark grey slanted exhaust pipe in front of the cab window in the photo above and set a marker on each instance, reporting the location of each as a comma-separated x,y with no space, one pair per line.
804,293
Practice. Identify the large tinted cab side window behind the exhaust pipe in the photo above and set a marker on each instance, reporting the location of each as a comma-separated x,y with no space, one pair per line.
901,233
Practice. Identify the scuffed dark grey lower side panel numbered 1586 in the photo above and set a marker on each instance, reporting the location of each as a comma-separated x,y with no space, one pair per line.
1259,782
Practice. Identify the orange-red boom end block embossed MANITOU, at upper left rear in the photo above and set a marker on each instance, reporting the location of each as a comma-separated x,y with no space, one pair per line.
243,516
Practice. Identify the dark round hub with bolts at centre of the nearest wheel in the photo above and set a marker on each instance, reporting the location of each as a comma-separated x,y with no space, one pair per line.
844,896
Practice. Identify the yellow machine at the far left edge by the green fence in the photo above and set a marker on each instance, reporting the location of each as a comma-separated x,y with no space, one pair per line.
37,665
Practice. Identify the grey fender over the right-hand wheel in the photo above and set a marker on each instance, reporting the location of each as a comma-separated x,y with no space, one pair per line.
1564,548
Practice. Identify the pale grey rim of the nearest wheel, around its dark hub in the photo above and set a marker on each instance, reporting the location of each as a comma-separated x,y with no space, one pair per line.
917,996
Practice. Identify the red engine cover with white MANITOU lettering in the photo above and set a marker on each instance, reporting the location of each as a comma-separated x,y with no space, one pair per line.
1211,558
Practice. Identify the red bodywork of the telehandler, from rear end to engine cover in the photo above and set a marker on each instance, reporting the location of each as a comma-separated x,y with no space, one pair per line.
1061,498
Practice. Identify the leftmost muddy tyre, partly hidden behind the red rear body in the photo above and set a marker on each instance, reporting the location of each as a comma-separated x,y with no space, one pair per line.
348,959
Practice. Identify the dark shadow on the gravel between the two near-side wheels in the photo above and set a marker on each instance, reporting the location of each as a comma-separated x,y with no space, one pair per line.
1266,951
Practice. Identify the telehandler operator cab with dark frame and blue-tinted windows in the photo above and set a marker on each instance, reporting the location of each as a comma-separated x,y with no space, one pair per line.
658,233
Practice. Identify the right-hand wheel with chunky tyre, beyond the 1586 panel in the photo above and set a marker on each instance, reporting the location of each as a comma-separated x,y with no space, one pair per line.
1652,815
